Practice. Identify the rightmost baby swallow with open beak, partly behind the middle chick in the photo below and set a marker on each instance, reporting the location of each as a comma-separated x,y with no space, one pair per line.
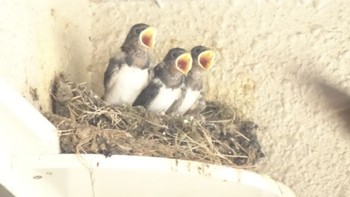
192,99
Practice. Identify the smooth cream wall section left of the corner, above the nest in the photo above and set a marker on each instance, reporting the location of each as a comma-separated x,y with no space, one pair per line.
38,39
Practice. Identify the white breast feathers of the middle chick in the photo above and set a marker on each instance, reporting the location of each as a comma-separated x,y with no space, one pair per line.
164,99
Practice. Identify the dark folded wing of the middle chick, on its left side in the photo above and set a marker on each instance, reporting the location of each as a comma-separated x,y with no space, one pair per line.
148,94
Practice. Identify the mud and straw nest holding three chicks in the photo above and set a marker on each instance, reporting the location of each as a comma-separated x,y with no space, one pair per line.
219,135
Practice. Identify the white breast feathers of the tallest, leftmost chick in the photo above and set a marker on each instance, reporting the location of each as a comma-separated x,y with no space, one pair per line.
126,85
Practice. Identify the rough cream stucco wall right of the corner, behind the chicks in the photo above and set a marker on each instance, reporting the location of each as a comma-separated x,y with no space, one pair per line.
285,63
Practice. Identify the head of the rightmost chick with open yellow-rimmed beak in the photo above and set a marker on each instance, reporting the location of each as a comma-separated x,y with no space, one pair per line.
203,56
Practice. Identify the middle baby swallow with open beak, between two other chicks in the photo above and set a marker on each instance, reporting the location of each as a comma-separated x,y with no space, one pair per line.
165,86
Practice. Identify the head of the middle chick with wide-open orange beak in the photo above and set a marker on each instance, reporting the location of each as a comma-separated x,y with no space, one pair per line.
180,59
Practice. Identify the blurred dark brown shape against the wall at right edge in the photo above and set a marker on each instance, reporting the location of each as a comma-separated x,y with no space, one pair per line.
339,101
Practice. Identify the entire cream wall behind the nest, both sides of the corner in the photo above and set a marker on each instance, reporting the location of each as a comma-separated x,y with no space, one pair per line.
272,59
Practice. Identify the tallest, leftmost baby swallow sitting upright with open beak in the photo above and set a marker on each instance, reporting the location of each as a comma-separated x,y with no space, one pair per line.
128,73
